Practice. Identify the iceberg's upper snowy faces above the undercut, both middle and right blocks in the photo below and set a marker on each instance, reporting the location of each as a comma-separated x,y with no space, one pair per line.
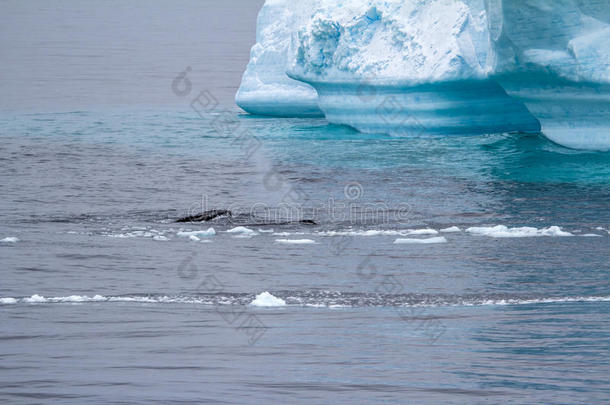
438,40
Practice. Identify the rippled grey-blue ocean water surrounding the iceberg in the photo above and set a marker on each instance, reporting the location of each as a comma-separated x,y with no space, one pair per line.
105,298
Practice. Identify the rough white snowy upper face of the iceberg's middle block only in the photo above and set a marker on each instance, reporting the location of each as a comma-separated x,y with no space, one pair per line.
392,41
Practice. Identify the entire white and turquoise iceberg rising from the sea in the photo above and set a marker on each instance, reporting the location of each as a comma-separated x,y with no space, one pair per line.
437,66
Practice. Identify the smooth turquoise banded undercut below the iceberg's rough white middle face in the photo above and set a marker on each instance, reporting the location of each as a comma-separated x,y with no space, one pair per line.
457,107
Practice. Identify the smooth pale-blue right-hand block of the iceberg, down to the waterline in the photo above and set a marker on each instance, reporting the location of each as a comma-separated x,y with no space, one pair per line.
554,56
